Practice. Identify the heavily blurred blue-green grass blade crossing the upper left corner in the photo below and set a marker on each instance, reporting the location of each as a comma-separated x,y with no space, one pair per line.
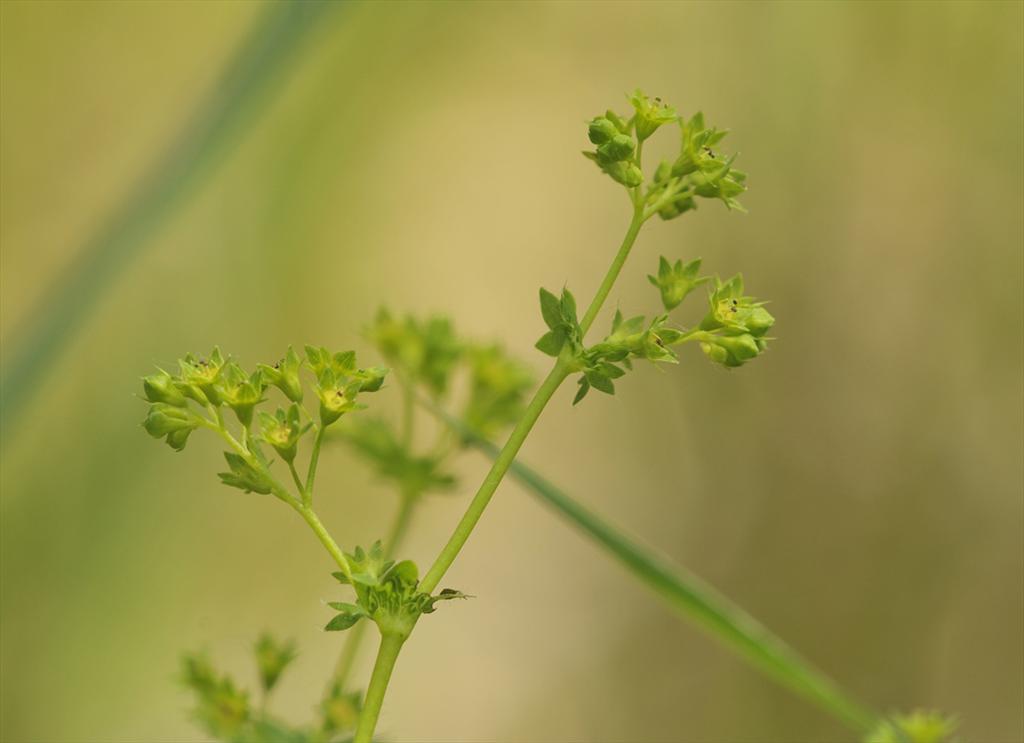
258,69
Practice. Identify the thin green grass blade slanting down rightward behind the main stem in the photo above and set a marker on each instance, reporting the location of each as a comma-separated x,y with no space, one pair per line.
690,596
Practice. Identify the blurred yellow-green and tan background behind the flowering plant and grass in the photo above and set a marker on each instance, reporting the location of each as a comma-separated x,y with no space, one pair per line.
860,489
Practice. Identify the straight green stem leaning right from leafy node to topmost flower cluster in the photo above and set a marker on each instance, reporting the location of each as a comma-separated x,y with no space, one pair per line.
534,410
